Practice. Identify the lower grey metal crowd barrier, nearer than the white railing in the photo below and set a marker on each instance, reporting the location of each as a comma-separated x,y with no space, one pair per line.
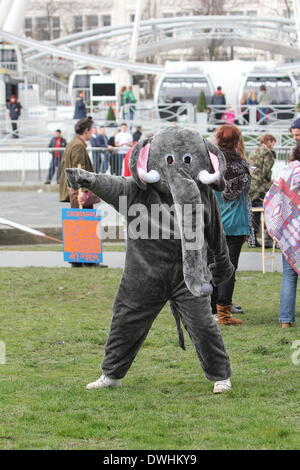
31,165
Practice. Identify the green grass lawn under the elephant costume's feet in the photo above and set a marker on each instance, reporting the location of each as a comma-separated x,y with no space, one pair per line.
54,323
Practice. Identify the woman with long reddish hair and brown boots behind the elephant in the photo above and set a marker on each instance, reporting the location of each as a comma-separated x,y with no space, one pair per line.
235,209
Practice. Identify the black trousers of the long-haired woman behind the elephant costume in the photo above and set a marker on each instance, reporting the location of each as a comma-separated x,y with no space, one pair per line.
222,295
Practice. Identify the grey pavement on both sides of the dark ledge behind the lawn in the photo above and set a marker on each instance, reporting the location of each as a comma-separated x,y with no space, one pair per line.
42,209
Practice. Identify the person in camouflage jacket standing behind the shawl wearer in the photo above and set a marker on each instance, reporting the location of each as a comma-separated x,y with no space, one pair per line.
263,158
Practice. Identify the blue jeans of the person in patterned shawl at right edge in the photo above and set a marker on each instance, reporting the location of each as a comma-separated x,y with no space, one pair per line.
288,293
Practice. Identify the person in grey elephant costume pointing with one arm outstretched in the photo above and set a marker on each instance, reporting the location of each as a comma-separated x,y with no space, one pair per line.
173,174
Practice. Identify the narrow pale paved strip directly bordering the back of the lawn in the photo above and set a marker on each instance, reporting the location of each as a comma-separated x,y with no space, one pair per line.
248,261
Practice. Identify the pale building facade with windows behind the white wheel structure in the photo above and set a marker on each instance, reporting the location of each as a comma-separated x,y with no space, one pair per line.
51,19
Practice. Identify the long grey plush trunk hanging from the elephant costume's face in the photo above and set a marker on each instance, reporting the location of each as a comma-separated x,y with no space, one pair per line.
190,217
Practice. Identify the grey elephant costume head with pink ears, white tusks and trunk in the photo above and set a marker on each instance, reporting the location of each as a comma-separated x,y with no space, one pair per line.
180,162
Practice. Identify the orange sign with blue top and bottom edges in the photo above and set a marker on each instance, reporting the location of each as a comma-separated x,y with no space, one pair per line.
81,236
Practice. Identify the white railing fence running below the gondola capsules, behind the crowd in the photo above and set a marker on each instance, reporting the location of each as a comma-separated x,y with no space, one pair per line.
42,121
